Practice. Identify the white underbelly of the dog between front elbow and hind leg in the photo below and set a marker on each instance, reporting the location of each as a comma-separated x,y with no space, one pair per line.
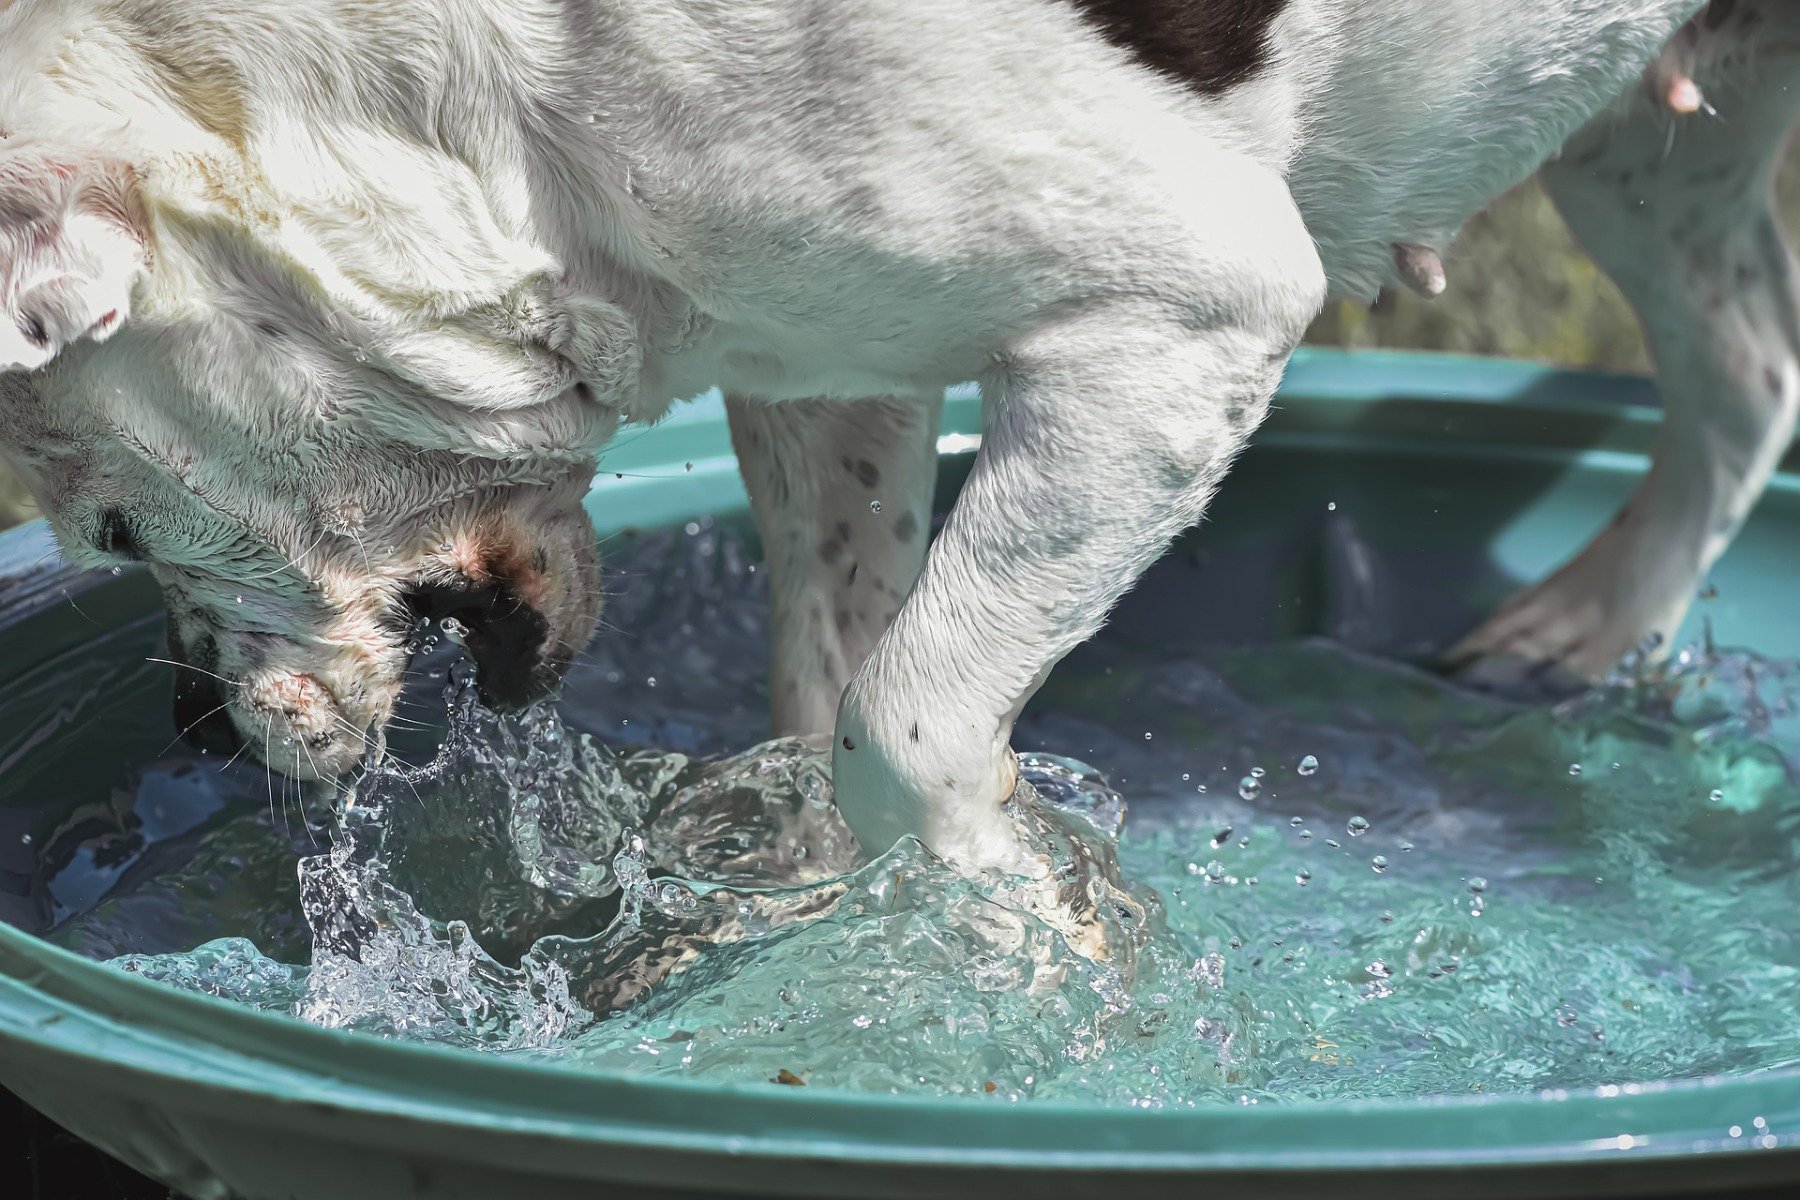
1417,114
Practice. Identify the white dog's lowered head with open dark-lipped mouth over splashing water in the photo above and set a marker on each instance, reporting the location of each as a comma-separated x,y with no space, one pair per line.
321,391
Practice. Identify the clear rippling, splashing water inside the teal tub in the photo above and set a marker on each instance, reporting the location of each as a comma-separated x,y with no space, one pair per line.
1335,877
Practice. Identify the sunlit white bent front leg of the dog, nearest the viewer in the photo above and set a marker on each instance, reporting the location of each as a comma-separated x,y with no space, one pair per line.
1106,434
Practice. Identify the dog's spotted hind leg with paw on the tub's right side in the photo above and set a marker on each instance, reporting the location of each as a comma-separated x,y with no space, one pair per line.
1678,211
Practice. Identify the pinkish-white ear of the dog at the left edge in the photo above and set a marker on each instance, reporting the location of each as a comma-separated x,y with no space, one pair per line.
75,240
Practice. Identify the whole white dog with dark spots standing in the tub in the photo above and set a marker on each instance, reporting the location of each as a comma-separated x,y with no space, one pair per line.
323,310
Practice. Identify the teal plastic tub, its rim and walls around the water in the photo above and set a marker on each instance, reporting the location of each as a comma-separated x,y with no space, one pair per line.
1466,478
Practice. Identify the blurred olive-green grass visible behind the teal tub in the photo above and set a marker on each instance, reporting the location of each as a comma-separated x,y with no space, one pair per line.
1518,287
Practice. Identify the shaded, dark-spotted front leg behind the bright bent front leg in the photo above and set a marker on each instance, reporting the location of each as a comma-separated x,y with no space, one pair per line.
841,492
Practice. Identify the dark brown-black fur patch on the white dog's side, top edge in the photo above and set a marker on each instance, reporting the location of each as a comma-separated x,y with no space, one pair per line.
1210,46
